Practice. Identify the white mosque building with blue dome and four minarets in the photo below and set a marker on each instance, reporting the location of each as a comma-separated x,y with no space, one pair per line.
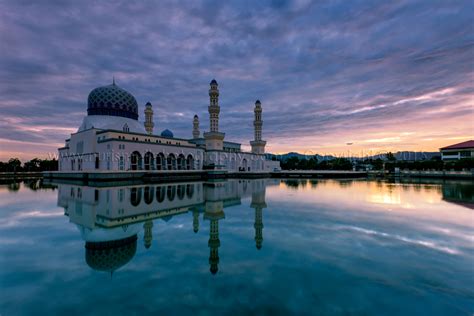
111,138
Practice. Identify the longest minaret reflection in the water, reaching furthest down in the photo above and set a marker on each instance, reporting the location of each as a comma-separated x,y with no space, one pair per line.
214,212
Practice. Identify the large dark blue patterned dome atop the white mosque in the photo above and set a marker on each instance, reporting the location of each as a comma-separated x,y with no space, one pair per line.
113,101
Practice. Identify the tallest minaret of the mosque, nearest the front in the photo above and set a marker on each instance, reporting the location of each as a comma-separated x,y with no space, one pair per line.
214,139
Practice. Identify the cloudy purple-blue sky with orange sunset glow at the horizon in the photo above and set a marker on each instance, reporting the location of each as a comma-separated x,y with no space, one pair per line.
334,77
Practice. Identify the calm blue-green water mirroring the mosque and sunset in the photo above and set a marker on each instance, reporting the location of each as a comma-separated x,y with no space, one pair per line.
238,247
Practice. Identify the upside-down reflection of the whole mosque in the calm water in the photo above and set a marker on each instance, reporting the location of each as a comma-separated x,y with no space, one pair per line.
111,218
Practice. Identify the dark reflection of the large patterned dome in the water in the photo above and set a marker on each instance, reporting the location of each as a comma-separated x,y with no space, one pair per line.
110,255
